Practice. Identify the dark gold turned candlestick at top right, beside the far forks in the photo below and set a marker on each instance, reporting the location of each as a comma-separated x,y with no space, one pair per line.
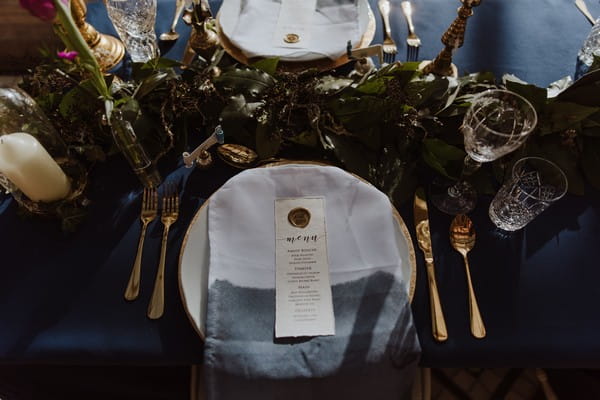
452,39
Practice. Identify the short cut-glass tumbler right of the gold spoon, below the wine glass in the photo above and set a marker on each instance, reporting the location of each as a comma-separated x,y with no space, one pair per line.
535,184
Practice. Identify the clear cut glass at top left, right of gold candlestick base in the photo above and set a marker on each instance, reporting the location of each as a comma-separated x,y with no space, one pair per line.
134,22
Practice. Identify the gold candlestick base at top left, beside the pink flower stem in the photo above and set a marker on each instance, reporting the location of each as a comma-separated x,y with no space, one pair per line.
108,50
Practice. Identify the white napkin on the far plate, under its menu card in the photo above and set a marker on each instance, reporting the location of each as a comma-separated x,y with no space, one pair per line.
251,25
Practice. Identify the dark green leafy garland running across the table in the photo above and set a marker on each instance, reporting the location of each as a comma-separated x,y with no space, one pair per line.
392,126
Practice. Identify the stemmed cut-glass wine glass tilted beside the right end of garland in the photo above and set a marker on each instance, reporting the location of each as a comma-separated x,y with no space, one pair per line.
497,123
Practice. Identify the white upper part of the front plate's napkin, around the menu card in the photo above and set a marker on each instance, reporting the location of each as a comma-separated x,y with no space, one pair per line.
241,224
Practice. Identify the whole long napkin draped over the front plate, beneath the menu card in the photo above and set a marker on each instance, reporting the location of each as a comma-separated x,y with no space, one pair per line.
375,350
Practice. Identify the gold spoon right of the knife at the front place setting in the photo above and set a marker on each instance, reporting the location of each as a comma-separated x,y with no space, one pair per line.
462,238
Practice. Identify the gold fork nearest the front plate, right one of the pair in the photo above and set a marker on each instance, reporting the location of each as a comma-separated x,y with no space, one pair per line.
170,212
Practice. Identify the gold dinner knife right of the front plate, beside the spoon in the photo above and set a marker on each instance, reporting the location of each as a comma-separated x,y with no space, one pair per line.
438,323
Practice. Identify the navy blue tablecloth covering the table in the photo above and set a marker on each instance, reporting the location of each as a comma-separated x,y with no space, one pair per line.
61,296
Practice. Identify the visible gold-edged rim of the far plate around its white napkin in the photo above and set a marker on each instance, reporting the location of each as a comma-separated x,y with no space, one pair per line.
322,64
